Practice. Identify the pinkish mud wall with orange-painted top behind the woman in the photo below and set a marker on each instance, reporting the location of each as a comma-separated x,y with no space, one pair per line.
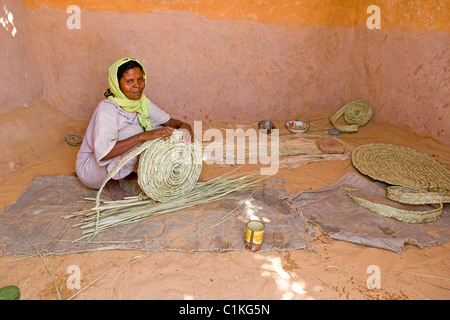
227,60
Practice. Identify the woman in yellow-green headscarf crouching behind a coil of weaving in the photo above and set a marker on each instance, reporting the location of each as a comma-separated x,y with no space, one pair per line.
119,124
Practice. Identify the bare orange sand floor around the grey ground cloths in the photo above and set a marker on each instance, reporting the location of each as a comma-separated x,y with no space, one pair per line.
338,270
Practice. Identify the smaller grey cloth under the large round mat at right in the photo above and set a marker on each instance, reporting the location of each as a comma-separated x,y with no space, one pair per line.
340,218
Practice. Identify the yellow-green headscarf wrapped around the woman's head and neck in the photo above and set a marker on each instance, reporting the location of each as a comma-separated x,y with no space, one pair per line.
139,106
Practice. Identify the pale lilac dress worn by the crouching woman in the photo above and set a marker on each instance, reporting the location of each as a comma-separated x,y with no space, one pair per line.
109,124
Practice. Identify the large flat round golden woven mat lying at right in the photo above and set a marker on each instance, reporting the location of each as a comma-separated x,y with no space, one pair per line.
402,166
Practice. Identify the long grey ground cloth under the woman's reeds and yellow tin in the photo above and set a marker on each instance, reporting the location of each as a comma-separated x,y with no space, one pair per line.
41,209
